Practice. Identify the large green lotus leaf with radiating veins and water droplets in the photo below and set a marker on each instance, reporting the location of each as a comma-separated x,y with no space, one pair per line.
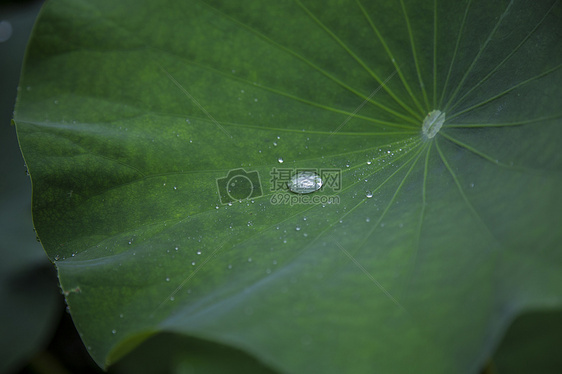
137,114
